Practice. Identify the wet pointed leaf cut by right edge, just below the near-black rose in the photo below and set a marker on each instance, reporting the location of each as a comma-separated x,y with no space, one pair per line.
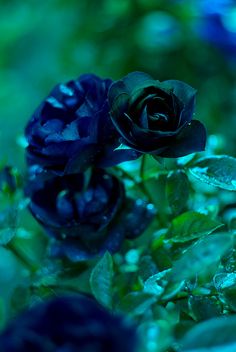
219,171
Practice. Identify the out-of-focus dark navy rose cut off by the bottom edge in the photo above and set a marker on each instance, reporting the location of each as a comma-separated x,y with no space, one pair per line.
68,324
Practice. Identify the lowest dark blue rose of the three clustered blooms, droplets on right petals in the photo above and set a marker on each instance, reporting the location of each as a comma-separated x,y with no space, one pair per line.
87,214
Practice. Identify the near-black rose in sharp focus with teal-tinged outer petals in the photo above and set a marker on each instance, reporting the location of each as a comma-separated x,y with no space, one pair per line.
156,117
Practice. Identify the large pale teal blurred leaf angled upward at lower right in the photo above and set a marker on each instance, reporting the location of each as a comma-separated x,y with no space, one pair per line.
199,257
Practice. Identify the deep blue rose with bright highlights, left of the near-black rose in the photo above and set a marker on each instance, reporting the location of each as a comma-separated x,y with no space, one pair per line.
71,130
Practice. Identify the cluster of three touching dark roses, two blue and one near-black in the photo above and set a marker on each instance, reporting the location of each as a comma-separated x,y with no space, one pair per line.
82,128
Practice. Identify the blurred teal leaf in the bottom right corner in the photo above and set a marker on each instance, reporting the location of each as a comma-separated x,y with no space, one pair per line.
216,335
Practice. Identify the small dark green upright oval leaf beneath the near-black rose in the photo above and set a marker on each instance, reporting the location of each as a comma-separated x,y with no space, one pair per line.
177,191
